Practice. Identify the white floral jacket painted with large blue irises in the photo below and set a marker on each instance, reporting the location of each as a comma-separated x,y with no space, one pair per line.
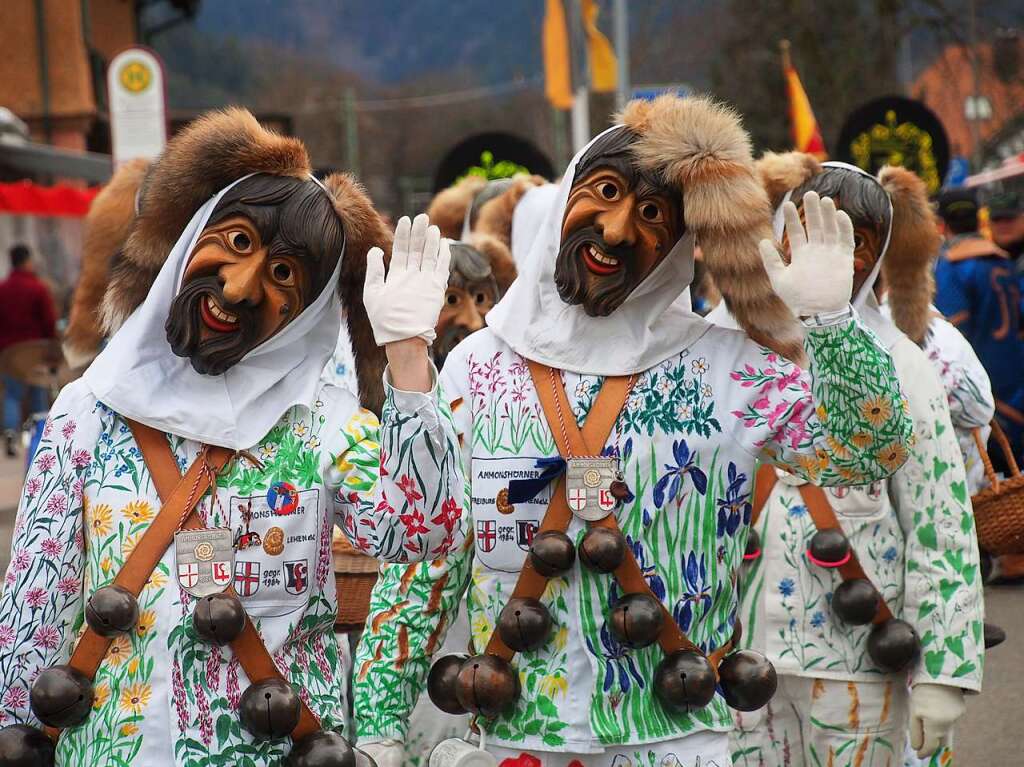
689,440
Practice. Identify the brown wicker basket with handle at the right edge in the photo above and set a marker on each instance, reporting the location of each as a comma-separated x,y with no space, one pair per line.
999,510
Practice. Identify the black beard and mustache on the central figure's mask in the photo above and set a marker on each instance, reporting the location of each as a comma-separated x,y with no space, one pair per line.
599,294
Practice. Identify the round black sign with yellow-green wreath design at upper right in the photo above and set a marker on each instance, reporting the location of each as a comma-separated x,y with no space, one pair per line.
895,131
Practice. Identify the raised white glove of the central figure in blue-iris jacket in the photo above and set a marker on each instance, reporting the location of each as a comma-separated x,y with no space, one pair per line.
820,278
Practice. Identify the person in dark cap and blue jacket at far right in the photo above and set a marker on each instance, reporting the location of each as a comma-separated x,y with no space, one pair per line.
979,292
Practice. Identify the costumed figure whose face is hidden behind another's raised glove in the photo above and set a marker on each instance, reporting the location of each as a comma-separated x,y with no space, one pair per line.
867,600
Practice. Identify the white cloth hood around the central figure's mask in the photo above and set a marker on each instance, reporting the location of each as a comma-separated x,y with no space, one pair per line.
654,324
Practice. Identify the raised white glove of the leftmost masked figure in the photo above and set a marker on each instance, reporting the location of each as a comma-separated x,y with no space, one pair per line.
407,304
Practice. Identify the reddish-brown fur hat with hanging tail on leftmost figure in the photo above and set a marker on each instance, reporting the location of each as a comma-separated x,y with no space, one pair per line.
208,155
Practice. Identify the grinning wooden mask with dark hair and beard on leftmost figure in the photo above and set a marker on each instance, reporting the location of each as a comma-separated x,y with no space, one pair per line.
267,253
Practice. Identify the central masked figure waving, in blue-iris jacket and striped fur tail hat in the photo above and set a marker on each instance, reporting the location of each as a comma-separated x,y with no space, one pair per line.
601,565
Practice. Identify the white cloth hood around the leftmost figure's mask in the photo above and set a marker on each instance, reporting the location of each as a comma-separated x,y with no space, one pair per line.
140,377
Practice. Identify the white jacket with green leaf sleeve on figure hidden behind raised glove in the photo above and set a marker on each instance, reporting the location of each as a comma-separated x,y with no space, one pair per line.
915,537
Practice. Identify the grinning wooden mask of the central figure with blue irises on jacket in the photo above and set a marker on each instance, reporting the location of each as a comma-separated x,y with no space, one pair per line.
620,223
